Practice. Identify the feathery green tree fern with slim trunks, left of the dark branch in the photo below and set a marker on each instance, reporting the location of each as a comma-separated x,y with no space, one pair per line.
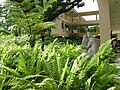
30,23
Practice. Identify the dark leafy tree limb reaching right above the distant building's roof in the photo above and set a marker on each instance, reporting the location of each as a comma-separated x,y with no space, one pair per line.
61,6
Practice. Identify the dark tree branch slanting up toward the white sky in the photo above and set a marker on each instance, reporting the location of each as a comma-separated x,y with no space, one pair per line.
62,7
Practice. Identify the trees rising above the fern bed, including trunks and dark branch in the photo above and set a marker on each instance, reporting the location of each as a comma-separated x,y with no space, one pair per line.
31,16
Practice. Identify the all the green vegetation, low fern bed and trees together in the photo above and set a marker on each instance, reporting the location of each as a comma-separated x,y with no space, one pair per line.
62,65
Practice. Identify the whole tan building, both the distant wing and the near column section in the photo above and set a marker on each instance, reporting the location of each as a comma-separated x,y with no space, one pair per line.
109,20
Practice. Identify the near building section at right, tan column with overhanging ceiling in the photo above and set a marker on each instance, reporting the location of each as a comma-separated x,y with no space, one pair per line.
109,14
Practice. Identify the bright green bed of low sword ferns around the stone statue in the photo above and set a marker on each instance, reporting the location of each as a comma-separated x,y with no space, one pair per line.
59,67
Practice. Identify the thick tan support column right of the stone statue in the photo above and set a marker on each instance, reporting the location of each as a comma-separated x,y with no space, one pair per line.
104,20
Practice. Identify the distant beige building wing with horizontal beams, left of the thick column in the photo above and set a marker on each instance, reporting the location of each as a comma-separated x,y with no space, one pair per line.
66,21
